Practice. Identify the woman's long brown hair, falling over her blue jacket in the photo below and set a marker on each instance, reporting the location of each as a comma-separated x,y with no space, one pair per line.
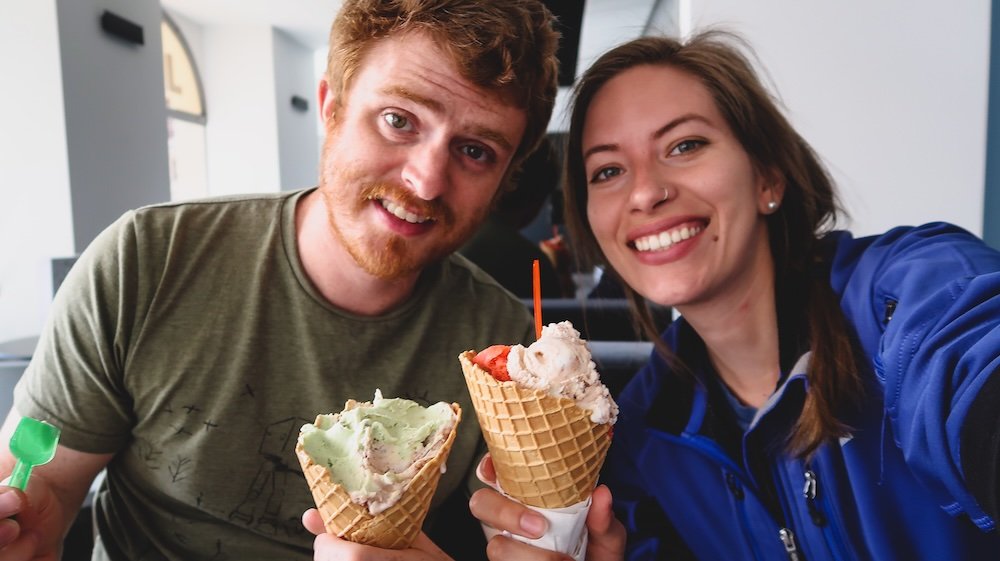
808,209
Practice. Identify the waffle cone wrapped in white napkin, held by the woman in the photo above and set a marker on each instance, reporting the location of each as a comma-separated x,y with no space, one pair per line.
546,450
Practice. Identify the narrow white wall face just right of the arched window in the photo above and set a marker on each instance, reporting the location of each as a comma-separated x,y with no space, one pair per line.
242,127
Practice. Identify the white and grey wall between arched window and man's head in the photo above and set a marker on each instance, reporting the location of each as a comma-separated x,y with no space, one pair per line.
255,140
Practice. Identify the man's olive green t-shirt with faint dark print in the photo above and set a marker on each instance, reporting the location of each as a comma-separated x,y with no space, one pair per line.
189,341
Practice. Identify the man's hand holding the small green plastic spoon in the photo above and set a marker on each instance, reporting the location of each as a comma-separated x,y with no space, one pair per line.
30,523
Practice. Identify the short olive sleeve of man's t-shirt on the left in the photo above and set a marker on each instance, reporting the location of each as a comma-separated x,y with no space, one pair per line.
75,378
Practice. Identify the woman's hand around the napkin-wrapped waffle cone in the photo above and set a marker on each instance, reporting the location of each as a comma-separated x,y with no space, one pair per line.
606,538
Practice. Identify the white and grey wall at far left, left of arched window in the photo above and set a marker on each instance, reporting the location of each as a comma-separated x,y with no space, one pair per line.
82,139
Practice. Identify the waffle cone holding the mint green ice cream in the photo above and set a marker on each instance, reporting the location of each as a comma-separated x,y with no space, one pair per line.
393,528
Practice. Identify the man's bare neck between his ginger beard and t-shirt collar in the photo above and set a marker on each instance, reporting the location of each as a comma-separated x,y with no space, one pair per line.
333,271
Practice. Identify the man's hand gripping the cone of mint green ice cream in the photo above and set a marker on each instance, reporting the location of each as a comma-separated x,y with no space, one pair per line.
328,547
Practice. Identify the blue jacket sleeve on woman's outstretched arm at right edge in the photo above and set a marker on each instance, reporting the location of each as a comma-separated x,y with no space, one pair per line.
927,308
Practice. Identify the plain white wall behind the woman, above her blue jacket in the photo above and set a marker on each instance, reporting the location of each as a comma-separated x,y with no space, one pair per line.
892,93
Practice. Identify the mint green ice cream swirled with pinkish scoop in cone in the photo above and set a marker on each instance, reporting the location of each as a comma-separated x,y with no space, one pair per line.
374,449
